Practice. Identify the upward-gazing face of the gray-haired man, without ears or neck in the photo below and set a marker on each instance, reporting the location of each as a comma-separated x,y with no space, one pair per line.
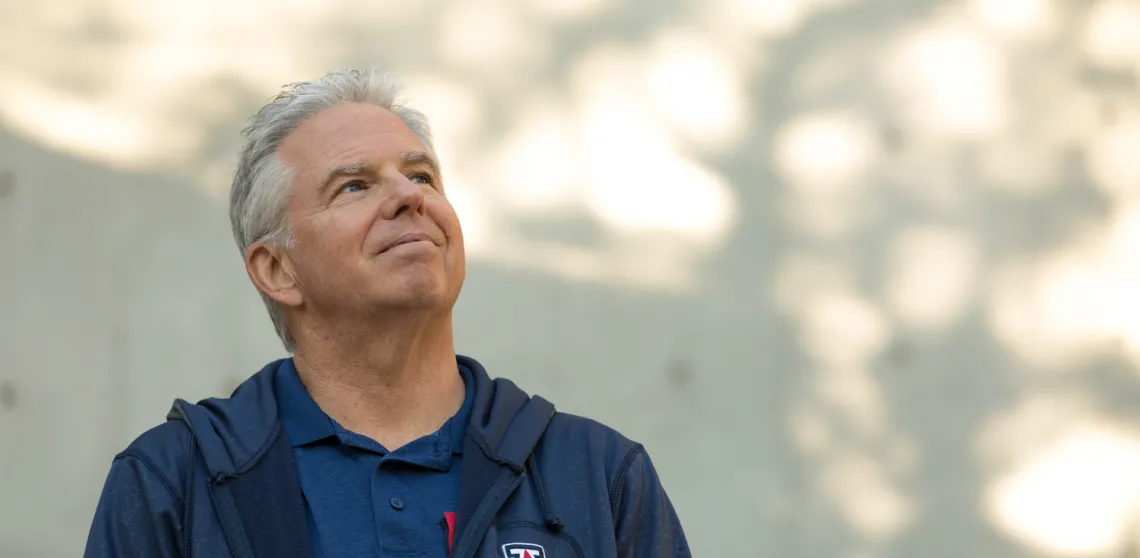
373,230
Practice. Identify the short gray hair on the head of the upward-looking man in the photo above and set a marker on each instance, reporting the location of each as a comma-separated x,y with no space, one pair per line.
263,183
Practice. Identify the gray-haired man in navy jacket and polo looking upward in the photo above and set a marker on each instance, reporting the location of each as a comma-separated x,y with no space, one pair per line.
374,439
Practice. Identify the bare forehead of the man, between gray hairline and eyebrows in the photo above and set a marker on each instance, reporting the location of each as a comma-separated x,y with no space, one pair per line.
352,133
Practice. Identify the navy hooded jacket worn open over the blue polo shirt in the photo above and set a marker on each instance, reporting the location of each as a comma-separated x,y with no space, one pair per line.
219,480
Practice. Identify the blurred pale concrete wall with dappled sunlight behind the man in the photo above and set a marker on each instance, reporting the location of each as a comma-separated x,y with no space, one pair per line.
861,274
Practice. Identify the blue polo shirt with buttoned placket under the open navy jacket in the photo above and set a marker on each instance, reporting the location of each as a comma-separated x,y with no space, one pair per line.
363,500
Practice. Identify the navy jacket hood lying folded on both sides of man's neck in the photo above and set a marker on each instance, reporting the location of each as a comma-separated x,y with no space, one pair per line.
234,433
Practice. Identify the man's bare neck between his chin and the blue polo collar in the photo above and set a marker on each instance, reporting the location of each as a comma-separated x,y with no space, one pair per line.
396,384
